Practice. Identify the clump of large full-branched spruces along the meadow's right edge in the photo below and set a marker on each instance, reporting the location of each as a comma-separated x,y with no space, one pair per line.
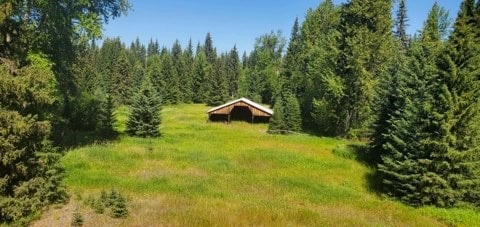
427,135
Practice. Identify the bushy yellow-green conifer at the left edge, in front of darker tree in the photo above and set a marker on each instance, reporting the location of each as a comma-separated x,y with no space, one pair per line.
30,177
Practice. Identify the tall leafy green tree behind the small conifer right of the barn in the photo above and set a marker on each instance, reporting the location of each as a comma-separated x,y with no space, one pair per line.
320,88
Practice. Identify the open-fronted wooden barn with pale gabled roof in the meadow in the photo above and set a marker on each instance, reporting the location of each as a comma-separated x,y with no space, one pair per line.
242,110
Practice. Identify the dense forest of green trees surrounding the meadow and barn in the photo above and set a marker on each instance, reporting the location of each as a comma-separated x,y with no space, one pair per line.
348,71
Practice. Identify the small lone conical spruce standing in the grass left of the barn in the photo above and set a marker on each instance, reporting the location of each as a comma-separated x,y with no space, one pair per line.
144,119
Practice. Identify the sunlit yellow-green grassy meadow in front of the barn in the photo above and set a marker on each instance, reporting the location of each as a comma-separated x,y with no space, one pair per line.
201,173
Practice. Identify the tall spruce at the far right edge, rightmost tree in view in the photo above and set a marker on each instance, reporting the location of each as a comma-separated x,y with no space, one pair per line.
456,113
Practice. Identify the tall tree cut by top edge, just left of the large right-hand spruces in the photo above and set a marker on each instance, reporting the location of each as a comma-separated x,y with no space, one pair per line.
365,56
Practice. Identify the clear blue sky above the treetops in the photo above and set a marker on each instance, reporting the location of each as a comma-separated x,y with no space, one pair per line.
230,22
